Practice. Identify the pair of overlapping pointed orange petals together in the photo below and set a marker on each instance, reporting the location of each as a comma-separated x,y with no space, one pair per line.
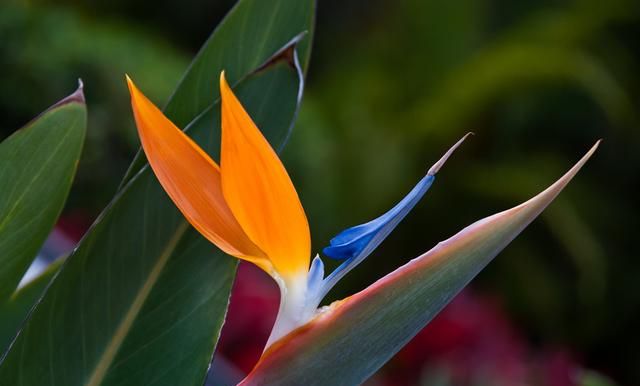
248,207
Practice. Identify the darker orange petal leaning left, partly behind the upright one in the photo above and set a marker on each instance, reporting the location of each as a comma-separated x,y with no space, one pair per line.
192,180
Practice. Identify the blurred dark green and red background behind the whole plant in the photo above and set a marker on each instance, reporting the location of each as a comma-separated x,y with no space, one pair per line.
390,87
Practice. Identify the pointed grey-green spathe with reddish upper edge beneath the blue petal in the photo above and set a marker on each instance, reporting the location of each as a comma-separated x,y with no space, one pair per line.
346,343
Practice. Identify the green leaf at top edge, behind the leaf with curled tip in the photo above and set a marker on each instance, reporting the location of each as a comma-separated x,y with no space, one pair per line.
247,38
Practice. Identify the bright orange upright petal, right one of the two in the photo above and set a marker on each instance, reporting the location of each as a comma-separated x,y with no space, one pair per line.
259,191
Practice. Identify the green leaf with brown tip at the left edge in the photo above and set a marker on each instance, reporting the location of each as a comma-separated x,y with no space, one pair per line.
37,166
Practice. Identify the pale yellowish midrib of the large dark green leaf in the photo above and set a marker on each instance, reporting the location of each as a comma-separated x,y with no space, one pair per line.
109,354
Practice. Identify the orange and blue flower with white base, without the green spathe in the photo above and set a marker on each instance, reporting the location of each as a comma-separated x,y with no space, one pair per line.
249,208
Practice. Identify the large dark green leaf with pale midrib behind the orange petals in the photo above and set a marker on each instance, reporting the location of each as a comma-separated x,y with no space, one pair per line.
142,299
